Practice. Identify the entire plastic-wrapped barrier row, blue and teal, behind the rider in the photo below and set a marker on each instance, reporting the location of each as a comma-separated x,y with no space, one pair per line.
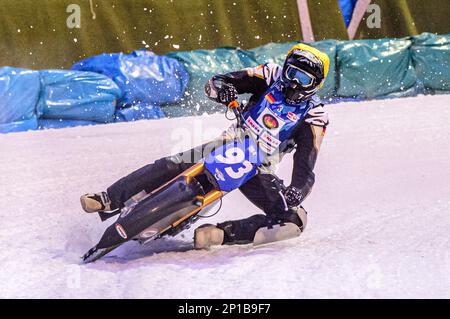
127,87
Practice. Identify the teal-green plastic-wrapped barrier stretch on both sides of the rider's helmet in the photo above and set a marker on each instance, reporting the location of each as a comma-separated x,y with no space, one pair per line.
360,69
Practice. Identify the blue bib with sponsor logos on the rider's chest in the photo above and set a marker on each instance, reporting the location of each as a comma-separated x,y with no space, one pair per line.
272,121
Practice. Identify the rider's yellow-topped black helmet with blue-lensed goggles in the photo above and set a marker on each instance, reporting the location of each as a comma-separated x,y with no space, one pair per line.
304,72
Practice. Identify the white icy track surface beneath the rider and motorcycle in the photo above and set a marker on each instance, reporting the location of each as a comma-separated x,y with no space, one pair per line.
379,215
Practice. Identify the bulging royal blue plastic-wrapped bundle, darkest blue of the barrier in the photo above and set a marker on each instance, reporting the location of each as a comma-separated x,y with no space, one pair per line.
143,76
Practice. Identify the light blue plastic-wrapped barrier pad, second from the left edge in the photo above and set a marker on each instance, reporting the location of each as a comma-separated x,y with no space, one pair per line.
76,95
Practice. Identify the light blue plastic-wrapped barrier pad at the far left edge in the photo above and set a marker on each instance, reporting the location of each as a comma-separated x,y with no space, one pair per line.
19,94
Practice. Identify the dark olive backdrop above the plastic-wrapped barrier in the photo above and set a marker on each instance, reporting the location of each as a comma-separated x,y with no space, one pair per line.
34,34
